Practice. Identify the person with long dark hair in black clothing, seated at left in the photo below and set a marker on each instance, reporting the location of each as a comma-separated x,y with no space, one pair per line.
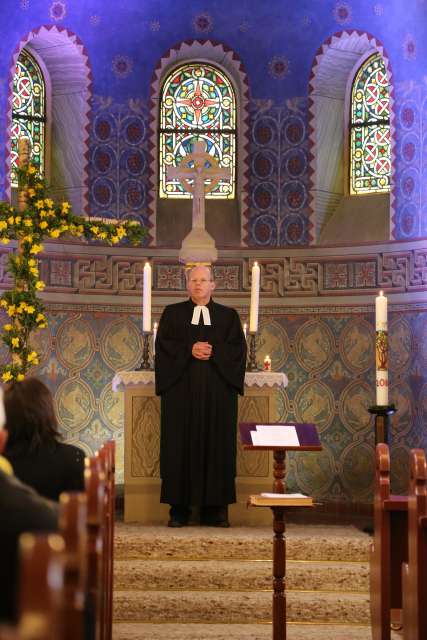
34,449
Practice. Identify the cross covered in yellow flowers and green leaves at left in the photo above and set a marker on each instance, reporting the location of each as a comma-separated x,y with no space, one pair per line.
41,218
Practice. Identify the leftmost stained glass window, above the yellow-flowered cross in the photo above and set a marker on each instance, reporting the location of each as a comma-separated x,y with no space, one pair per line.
28,111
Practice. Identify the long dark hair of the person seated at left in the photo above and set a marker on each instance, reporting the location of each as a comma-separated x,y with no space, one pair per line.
30,415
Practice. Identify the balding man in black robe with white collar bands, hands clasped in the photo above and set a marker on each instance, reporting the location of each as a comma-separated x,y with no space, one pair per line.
200,369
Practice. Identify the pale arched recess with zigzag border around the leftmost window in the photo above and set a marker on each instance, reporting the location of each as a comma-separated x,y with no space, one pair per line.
65,62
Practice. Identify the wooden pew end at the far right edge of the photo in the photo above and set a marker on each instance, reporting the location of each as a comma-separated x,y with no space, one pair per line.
414,572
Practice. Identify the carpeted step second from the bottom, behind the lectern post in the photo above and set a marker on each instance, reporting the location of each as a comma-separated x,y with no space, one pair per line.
238,607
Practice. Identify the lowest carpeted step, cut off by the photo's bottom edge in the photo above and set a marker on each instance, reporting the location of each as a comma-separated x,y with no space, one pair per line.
192,631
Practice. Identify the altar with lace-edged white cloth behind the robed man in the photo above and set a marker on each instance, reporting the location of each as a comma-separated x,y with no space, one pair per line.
142,446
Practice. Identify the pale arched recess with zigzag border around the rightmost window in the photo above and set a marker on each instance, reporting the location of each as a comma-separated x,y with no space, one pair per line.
334,67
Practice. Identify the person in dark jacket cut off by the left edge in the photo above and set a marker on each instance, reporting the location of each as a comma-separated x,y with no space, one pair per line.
21,509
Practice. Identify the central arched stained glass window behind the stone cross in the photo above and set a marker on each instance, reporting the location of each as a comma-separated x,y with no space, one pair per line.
197,103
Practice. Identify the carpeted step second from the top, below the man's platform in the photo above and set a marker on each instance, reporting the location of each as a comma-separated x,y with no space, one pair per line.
238,574
